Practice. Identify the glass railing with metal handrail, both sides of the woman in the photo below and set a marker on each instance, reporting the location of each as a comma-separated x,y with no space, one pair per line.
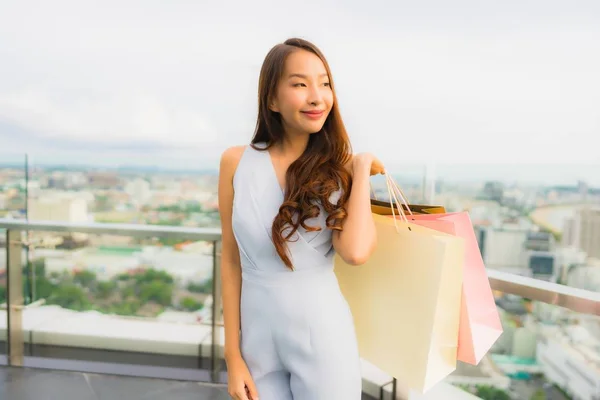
89,288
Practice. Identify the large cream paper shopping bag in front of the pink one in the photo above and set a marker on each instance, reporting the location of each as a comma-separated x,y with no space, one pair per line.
405,301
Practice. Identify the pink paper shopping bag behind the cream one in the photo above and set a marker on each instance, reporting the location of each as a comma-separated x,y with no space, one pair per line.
480,325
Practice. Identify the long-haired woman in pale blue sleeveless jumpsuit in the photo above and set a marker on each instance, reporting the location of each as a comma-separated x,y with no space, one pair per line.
289,201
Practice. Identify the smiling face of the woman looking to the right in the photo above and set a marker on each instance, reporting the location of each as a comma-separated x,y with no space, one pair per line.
304,97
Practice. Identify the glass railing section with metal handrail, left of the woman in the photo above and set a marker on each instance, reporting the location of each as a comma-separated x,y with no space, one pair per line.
144,293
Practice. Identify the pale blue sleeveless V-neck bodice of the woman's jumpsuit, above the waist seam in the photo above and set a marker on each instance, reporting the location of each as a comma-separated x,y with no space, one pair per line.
257,199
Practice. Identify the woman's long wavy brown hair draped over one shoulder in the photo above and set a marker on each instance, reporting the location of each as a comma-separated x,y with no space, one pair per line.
319,171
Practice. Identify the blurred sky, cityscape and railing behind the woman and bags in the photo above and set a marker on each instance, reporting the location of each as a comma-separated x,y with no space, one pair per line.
114,114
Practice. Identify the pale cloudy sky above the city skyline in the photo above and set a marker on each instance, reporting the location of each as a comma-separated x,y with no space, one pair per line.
481,85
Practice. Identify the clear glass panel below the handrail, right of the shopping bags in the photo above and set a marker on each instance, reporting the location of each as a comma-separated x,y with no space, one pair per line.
545,352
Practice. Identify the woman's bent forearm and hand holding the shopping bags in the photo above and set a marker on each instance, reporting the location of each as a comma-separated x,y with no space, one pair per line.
358,238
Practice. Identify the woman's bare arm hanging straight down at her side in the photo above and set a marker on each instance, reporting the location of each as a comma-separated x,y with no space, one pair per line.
240,383
